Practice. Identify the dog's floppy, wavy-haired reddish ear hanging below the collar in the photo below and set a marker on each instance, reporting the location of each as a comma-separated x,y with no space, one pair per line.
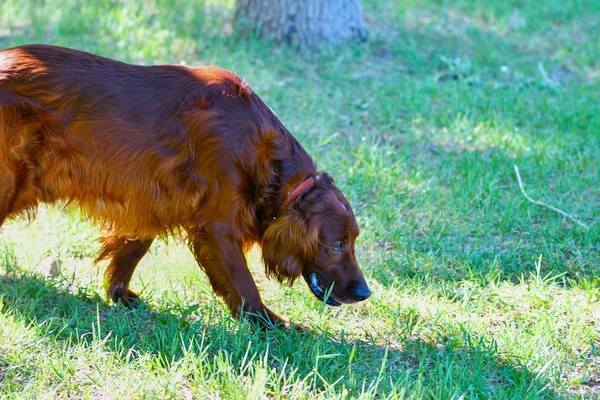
288,244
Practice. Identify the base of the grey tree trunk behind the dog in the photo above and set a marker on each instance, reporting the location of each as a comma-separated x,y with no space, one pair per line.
302,23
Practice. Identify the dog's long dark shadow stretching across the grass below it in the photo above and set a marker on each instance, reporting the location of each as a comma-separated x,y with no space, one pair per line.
68,316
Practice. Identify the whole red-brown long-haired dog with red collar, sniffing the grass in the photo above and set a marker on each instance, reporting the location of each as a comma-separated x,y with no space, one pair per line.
148,151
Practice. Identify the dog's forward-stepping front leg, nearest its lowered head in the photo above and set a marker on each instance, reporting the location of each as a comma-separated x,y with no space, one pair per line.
218,250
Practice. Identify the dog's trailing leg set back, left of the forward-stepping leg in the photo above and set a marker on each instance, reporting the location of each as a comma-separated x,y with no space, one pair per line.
124,254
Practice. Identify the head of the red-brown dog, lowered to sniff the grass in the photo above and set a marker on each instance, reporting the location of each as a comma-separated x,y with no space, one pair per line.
314,237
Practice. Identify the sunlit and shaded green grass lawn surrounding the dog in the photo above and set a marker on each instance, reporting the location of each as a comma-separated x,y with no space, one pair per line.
477,293
